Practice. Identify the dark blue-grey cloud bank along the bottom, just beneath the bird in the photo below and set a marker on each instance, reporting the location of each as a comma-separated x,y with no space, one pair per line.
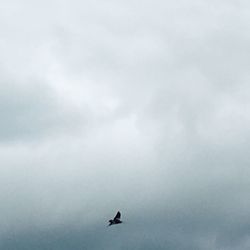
176,231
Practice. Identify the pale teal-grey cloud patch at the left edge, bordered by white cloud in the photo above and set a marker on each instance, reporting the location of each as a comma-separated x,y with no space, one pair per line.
31,110
